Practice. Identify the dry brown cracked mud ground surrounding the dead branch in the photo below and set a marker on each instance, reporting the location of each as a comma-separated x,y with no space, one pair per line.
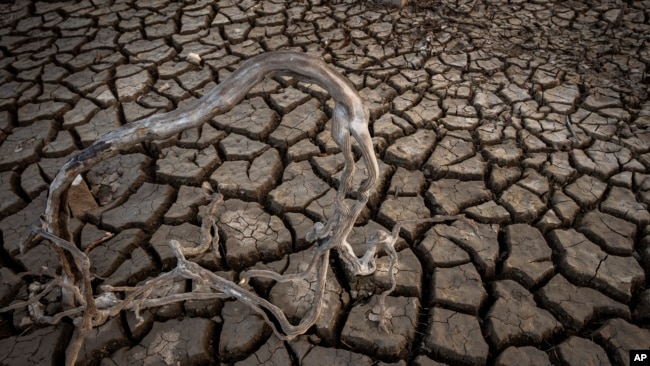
531,118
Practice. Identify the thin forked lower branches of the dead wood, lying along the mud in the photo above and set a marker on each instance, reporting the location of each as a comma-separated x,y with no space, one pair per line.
98,310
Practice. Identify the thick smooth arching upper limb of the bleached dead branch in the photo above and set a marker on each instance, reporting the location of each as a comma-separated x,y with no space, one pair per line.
350,119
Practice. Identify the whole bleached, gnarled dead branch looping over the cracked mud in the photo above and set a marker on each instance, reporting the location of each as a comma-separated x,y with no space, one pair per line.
349,120
